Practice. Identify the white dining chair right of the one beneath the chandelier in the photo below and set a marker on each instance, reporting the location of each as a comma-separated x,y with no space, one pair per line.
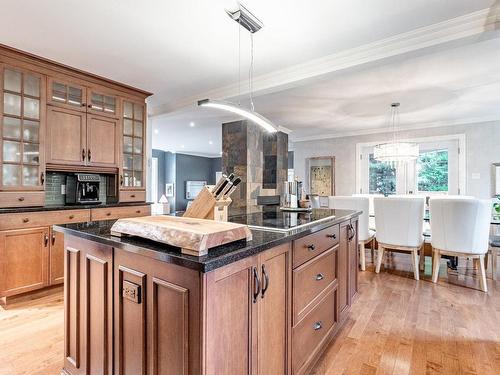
460,227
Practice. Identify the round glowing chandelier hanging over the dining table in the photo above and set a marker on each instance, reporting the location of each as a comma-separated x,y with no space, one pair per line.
395,151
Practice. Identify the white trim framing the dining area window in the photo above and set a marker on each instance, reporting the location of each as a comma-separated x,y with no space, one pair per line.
462,160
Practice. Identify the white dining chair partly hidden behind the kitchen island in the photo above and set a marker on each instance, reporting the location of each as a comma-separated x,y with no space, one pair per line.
365,235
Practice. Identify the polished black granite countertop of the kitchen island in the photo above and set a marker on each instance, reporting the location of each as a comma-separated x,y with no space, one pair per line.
99,231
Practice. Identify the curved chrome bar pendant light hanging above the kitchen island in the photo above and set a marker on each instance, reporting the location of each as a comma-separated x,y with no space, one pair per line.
251,23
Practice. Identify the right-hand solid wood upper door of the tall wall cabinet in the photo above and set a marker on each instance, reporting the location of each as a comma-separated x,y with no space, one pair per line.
102,136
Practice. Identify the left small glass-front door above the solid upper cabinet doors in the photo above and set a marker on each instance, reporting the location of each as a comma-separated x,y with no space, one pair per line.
66,94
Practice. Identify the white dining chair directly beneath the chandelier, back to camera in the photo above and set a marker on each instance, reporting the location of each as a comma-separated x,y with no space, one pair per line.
399,223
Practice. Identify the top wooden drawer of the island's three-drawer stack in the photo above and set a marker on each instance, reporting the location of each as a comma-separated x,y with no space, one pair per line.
308,247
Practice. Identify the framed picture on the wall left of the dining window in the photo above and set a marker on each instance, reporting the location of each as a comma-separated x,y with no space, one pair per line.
321,175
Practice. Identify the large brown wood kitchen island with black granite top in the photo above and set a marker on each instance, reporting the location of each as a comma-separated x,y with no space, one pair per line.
266,306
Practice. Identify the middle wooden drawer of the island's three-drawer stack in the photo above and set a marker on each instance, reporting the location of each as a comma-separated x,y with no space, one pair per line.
310,280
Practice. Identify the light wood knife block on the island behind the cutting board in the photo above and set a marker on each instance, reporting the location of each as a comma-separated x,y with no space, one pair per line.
205,206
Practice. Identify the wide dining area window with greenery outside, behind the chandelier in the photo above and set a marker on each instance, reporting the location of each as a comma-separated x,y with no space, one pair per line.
440,169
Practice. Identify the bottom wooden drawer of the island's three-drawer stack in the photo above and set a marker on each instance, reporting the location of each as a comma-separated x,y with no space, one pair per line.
309,334
